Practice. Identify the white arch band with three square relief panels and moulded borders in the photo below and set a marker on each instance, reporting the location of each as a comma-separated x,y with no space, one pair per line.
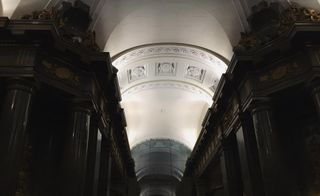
186,68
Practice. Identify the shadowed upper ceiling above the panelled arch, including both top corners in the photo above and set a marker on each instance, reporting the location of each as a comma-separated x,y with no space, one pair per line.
215,18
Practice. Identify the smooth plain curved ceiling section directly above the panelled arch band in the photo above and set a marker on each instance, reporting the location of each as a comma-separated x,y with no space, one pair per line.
169,21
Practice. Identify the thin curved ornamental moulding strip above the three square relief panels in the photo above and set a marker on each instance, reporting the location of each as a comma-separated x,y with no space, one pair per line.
169,50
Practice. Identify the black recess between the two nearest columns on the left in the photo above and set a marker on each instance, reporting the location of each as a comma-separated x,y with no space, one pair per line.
41,171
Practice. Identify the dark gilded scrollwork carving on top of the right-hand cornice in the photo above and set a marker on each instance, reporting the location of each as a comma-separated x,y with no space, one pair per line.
269,20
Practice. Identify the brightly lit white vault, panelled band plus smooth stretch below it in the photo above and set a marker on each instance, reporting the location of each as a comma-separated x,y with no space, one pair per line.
166,90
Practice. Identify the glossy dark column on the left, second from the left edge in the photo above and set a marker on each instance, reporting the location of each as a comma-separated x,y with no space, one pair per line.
76,148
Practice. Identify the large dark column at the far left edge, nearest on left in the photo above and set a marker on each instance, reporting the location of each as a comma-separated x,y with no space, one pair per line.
13,124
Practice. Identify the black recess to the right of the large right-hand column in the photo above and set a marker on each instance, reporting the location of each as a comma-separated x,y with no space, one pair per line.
299,136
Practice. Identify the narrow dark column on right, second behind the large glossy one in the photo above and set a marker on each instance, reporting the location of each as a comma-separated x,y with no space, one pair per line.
230,167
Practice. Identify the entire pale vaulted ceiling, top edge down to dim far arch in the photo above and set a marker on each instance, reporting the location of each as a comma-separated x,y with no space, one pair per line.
126,27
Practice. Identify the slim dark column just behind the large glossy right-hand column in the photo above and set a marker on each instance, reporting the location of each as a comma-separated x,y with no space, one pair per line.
249,158
